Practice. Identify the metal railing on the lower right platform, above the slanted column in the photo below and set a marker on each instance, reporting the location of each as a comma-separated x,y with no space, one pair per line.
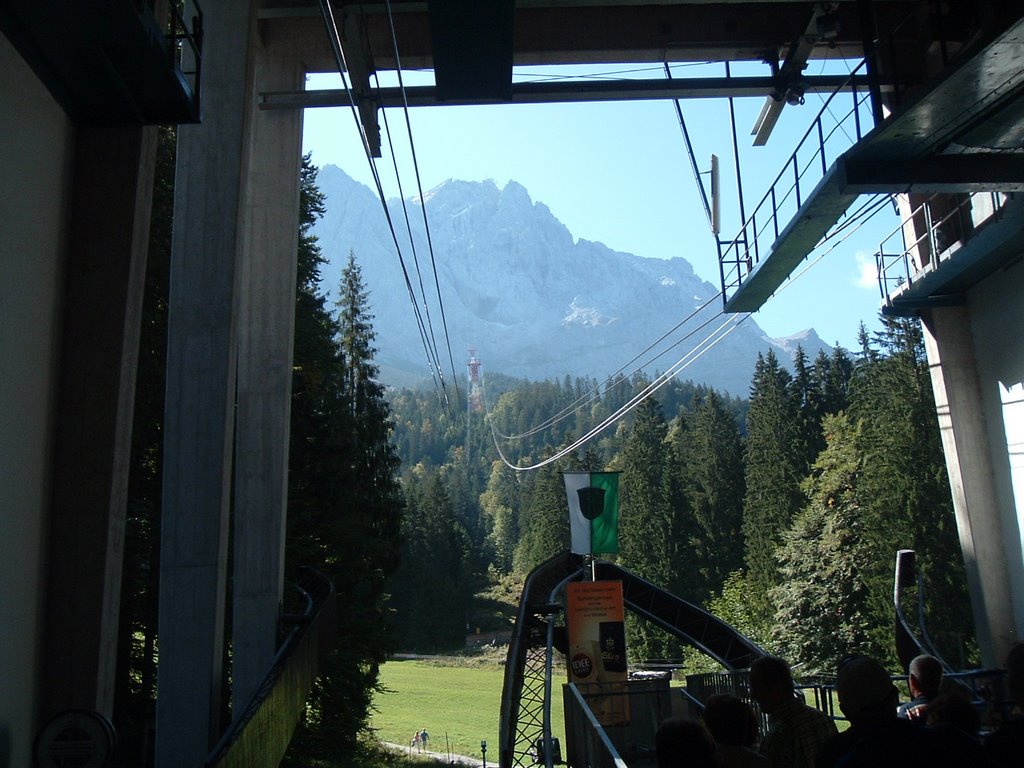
931,234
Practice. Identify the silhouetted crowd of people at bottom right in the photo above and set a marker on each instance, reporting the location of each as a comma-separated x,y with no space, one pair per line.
934,729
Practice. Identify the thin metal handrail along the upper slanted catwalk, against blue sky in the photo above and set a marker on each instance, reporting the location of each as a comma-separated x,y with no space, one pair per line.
747,250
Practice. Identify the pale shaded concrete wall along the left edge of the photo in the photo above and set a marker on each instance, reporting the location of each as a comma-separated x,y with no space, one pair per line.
36,142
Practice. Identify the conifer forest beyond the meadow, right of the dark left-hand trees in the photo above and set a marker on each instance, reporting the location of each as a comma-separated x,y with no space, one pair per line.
783,513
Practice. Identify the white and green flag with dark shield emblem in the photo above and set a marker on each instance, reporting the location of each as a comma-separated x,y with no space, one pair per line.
593,501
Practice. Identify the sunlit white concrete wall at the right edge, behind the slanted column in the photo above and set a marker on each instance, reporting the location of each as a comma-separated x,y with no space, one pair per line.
997,308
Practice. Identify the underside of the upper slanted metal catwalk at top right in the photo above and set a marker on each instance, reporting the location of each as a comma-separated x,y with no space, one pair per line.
962,104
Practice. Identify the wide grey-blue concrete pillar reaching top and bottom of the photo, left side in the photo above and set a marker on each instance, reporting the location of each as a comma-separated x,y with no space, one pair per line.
201,371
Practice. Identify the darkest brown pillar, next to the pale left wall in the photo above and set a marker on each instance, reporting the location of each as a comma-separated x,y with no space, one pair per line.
104,286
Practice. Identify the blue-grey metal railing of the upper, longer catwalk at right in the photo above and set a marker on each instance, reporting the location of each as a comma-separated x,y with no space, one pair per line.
818,150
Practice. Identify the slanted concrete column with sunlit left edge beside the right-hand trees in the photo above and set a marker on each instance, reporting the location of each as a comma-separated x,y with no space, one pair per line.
960,405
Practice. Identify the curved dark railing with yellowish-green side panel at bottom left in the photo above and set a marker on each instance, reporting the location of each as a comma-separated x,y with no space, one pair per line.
260,737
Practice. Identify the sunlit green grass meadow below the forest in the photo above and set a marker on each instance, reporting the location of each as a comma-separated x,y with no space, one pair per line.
457,701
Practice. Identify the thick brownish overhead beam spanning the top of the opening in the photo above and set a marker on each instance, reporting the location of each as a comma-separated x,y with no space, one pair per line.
561,33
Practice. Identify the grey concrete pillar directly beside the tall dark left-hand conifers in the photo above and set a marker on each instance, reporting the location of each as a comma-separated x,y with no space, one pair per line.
267,315
